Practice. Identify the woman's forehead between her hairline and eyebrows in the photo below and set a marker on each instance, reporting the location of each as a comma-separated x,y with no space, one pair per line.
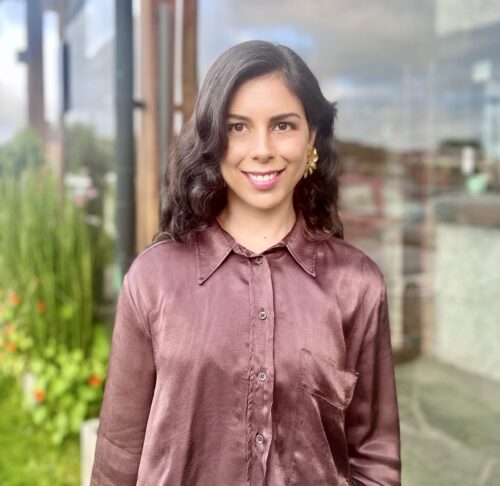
268,93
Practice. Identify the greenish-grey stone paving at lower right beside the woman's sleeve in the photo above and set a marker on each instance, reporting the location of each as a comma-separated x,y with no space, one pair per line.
450,425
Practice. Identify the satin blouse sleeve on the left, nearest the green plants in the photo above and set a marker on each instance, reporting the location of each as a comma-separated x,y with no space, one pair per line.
127,397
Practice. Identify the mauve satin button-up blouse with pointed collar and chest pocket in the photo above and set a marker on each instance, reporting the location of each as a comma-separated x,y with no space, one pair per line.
232,368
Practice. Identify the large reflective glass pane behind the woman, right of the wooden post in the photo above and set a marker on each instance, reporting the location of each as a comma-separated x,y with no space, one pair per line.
418,91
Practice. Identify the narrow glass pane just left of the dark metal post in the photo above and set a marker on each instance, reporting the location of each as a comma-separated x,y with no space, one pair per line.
89,122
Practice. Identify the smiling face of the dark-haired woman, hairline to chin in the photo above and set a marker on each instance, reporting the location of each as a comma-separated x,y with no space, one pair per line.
268,140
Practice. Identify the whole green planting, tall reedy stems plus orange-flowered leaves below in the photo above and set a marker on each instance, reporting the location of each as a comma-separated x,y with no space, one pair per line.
51,262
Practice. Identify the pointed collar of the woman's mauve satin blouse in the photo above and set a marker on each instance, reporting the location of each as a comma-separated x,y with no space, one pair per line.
214,244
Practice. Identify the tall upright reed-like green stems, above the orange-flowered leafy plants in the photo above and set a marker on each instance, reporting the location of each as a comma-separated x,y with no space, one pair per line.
46,260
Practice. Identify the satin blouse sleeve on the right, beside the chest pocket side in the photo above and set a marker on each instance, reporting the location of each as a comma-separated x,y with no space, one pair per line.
372,420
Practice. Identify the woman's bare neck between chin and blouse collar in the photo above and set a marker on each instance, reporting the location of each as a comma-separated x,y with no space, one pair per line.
255,229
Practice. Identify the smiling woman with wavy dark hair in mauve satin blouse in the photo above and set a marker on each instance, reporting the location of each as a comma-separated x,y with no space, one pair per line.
251,344
